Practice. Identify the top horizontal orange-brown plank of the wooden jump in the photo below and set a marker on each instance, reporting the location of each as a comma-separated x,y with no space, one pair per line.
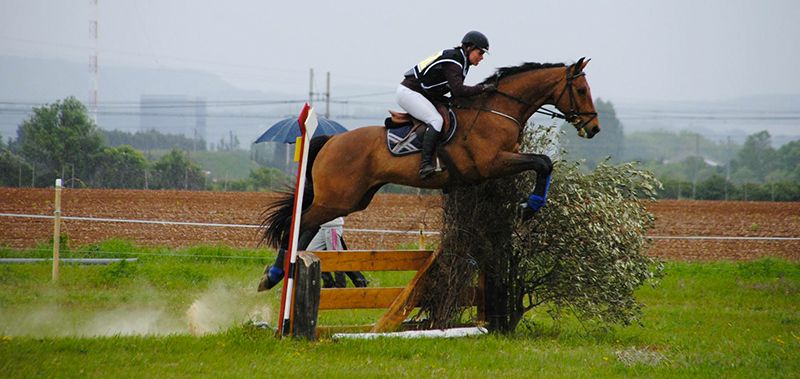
371,260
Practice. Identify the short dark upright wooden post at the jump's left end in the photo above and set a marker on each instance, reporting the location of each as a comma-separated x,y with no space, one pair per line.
306,297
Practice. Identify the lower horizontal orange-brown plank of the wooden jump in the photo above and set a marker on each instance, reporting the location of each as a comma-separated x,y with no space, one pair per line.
358,298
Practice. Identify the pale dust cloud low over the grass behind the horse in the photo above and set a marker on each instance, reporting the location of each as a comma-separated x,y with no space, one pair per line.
220,307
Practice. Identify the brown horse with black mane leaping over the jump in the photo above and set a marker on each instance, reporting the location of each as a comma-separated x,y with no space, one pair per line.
346,170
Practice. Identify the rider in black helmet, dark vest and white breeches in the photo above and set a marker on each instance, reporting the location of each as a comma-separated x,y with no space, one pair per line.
429,82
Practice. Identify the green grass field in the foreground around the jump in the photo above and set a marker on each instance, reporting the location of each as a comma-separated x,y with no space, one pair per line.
184,313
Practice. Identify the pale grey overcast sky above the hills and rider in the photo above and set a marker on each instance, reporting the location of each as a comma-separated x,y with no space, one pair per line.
640,50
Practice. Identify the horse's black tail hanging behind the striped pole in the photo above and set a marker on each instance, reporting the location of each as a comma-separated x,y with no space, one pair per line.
278,215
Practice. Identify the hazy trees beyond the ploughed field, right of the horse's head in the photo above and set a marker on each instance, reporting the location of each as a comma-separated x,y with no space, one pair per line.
692,167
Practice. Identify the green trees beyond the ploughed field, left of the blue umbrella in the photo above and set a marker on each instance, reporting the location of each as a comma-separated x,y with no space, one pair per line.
60,140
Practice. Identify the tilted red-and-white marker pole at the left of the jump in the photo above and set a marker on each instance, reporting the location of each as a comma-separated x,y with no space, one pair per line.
308,124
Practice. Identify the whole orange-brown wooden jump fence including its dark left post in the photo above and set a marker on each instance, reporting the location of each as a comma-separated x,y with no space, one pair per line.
309,298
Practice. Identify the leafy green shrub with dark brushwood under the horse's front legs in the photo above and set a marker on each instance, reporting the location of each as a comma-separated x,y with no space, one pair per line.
585,252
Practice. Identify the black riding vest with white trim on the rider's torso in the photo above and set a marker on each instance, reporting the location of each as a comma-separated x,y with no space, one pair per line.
429,72
